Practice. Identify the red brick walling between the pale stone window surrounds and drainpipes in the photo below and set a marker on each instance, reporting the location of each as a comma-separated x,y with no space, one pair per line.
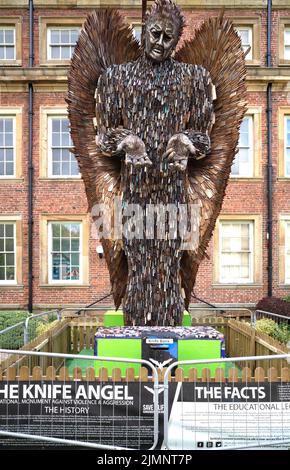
69,197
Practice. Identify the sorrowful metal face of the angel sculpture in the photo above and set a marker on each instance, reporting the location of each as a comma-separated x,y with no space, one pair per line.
160,39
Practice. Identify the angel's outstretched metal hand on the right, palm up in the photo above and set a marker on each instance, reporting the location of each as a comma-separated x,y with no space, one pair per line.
178,150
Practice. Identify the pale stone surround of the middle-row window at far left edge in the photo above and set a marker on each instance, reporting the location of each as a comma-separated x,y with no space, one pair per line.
16,114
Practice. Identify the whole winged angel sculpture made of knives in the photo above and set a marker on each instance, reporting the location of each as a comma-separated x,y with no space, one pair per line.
157,130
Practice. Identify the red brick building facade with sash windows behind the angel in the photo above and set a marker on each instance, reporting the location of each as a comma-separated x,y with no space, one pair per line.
66,267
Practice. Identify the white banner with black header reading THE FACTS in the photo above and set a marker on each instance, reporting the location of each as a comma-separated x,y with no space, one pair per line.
224,415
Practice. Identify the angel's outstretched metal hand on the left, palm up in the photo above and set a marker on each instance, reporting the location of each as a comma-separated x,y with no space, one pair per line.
135,152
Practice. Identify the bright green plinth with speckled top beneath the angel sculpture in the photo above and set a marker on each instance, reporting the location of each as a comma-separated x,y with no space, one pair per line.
159,345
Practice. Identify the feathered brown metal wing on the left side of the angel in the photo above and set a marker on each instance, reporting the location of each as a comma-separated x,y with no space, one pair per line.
104,40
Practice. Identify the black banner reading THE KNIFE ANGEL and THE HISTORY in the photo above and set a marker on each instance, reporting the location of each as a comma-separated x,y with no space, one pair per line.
116,413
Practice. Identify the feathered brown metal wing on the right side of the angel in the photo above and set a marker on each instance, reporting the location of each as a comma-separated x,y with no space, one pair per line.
217,47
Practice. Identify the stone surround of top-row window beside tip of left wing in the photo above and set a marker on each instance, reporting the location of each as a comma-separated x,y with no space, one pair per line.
58,22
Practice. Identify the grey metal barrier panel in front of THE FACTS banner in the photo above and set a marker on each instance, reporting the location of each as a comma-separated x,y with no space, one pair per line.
226,411
